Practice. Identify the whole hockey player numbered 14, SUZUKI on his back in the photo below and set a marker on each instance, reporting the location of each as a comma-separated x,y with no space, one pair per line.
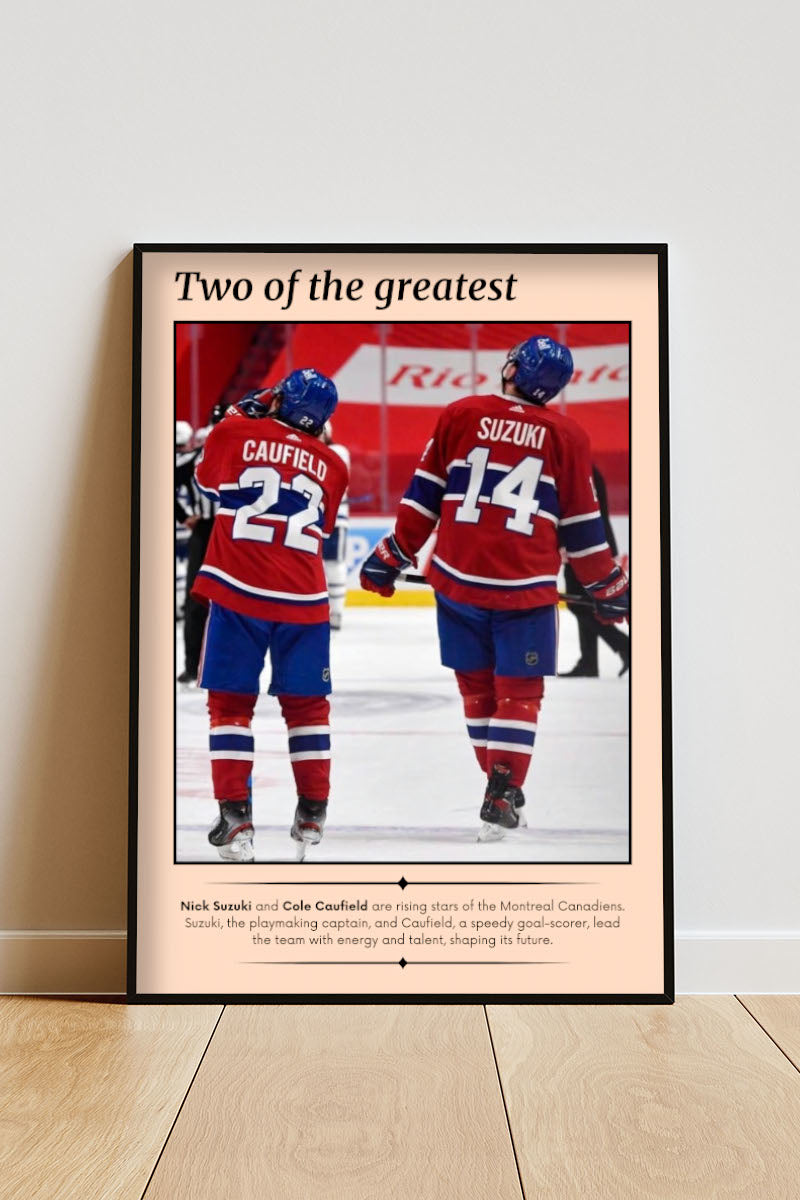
509,485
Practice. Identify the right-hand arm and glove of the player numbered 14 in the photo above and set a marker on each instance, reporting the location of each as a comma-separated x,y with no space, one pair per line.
582,533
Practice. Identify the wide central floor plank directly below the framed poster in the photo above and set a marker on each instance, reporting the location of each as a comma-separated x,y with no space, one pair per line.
344,1103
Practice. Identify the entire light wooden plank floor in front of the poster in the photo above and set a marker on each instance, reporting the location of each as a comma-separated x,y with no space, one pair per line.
104,1102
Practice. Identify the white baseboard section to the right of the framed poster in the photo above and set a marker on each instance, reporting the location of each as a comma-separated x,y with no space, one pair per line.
727,963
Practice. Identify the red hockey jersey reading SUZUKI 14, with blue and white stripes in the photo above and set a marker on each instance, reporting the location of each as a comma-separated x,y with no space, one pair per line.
510,484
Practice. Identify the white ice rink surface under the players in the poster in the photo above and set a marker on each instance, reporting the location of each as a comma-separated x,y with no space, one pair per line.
405,783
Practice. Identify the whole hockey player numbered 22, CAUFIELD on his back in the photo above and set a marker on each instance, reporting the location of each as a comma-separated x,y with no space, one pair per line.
279,490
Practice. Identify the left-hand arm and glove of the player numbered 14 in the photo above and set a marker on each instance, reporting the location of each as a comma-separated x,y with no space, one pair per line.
417,518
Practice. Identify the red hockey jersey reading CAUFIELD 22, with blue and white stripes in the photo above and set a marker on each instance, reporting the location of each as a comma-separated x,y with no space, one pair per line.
279,491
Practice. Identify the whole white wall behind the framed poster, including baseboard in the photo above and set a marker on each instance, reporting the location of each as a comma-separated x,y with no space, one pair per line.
311,122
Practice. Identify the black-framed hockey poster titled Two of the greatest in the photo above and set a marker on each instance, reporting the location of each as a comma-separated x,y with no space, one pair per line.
393,734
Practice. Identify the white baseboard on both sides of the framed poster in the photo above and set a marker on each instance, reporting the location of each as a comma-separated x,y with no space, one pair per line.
92,962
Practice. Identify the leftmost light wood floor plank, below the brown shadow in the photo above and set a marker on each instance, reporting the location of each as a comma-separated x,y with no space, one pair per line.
89,1094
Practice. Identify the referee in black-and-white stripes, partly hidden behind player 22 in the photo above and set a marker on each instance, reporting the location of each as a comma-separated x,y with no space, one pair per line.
195,512
